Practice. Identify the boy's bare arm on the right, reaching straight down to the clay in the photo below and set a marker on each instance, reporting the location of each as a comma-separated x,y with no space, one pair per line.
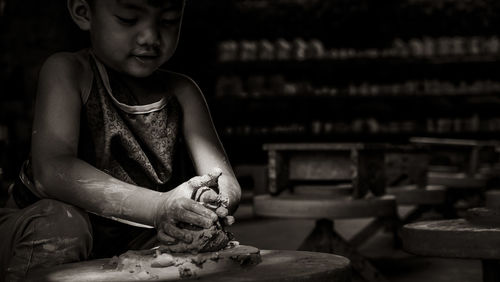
204,145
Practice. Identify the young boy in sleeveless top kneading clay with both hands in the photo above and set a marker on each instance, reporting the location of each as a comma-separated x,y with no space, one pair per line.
104,134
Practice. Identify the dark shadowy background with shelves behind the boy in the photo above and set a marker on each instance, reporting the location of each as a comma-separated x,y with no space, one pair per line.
277,100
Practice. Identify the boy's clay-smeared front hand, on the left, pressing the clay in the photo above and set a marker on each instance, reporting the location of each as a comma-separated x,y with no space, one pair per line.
176,207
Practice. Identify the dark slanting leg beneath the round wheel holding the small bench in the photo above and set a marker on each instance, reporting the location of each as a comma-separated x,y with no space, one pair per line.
324,239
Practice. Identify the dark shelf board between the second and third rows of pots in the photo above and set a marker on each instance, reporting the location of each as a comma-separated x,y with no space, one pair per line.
278,109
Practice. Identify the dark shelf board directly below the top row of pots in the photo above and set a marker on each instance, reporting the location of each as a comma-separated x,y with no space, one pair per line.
445,67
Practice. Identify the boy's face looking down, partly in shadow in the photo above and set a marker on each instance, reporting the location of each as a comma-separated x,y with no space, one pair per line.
134,37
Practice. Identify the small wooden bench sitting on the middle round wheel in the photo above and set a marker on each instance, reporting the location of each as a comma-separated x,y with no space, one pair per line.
360,164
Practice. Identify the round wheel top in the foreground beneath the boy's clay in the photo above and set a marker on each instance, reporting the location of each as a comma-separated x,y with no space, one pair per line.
275,265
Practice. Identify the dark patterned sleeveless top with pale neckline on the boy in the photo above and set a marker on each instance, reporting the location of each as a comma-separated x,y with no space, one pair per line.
131,142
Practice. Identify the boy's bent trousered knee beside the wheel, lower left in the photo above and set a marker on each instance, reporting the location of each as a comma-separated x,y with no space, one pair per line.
52,233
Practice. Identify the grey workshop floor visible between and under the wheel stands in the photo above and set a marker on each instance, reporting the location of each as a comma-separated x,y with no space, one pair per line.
396,265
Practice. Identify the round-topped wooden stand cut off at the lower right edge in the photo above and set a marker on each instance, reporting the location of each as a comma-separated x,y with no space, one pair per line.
456,238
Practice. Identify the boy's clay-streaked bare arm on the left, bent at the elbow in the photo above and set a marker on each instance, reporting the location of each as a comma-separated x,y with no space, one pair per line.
59,174
